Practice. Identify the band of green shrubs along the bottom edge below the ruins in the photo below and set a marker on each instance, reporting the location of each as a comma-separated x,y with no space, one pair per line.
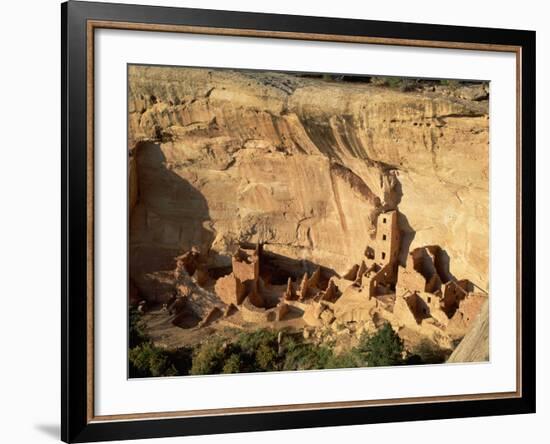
264,350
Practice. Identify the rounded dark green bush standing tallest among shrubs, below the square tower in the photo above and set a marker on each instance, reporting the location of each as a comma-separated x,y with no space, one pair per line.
384,348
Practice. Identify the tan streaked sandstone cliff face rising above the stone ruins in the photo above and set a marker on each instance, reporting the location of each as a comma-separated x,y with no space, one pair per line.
303,165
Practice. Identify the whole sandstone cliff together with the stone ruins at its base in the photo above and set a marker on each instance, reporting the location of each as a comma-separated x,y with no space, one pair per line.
304,170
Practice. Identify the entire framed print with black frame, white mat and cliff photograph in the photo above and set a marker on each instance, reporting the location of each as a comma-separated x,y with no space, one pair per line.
276,221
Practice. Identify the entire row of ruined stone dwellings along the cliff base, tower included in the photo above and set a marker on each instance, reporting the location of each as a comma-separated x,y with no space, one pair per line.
420,298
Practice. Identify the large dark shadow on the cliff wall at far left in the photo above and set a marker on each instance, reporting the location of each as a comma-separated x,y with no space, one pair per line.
168,219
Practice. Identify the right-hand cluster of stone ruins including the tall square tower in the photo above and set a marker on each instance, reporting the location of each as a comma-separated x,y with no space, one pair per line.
421,296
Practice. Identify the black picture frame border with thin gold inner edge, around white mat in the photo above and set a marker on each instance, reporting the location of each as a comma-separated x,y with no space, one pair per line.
76,423
